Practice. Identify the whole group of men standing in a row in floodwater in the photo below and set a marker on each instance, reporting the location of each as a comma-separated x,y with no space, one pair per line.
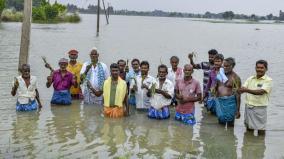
120,87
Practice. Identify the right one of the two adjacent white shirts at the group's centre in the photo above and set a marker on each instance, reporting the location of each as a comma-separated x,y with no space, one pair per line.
158,101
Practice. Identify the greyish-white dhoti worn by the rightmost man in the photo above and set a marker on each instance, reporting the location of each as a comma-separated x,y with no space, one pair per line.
256,117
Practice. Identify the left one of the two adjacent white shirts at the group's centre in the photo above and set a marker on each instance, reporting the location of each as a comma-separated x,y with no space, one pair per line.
142,101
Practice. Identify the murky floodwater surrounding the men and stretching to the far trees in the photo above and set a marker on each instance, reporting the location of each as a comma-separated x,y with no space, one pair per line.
80,131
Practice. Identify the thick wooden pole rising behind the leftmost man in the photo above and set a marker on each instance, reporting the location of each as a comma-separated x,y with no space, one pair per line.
26,30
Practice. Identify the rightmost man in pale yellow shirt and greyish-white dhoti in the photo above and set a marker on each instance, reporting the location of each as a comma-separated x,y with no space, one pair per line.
257,89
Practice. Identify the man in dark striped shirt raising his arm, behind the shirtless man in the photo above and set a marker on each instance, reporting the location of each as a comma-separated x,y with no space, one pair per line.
206,66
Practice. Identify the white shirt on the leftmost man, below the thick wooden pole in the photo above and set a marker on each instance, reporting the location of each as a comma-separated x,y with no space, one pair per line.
26,94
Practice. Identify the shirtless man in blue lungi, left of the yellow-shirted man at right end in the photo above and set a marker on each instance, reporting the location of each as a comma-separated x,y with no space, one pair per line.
227,99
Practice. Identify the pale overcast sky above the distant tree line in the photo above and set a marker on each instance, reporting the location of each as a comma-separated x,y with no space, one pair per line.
259,7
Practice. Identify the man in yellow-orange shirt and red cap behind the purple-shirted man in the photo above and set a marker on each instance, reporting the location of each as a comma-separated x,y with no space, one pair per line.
75,67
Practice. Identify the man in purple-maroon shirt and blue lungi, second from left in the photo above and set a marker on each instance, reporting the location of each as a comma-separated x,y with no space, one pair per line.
62,81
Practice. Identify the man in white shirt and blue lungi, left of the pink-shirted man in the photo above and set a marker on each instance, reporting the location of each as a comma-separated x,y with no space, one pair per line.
161,93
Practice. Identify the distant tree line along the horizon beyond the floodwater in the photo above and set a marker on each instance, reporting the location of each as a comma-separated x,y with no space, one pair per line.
228,15
